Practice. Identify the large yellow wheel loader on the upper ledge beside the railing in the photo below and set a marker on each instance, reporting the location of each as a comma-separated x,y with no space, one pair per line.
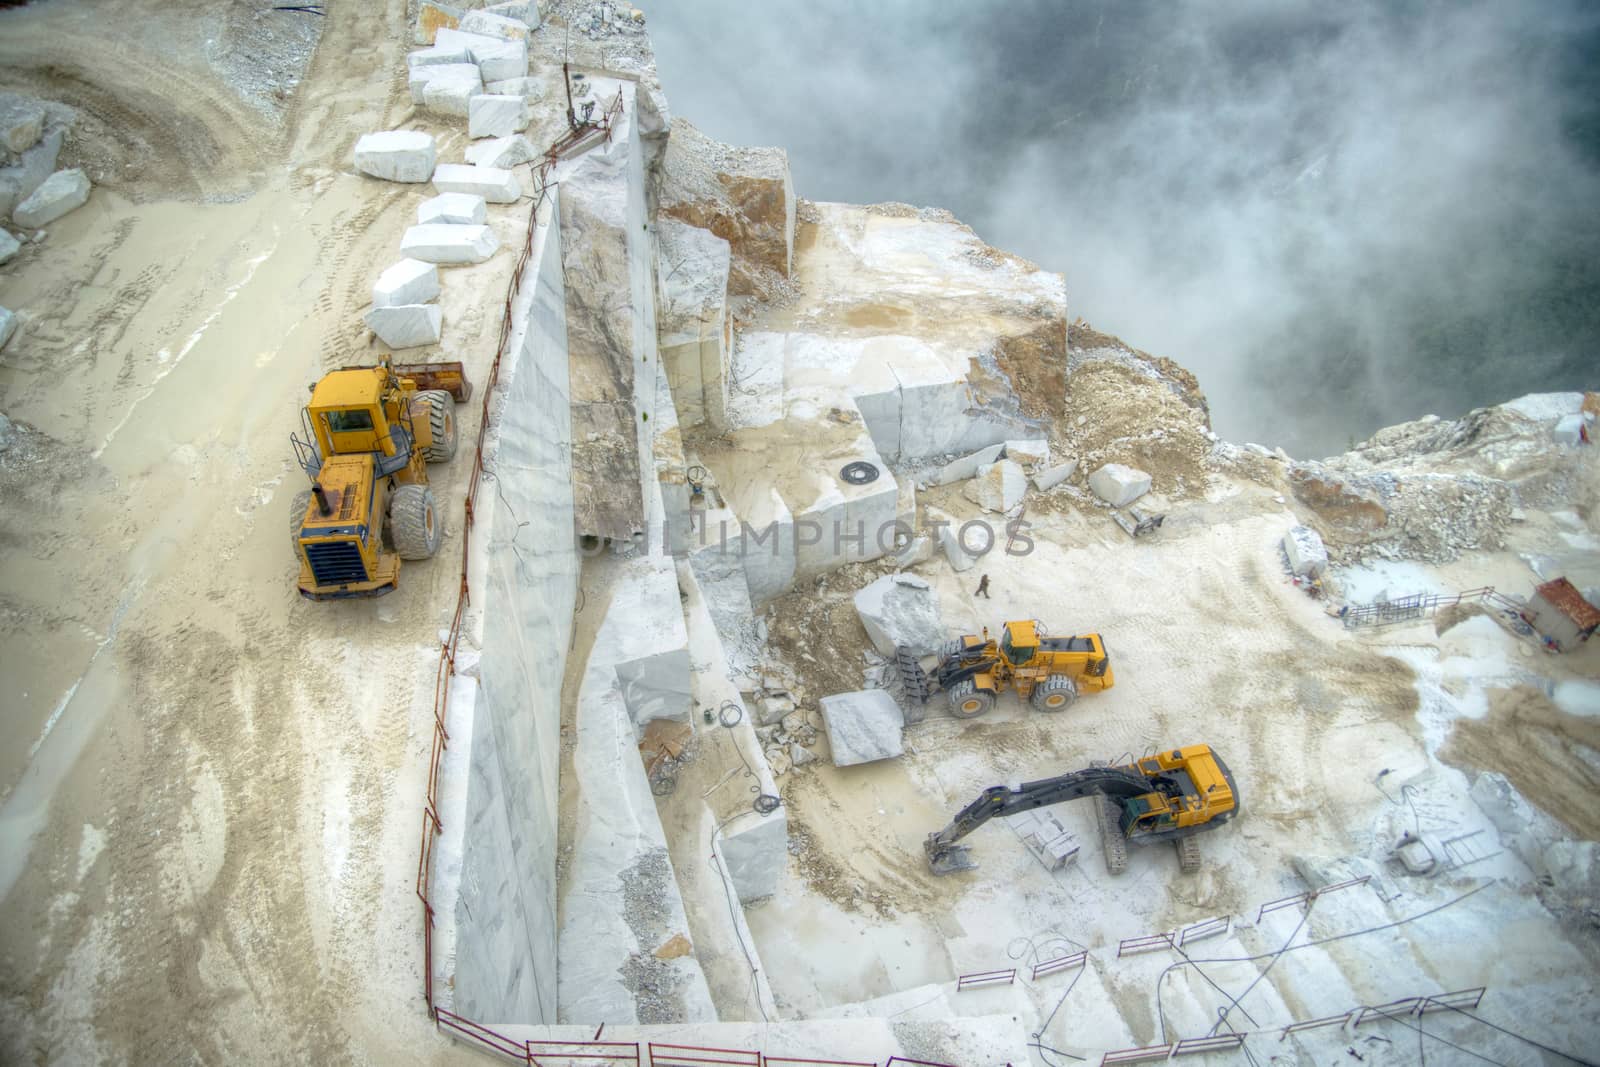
369,438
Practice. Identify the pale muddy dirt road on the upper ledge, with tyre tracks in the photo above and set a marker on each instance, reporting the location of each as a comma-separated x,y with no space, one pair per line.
209,789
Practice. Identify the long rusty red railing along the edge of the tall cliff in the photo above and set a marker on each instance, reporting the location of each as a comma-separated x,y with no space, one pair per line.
447,653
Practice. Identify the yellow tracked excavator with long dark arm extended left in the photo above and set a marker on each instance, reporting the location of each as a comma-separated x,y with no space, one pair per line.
1172,796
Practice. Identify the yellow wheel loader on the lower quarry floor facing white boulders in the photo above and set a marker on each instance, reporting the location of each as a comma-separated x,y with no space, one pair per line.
974,671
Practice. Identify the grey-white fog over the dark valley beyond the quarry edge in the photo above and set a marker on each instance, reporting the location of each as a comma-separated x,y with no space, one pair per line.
1340,217
